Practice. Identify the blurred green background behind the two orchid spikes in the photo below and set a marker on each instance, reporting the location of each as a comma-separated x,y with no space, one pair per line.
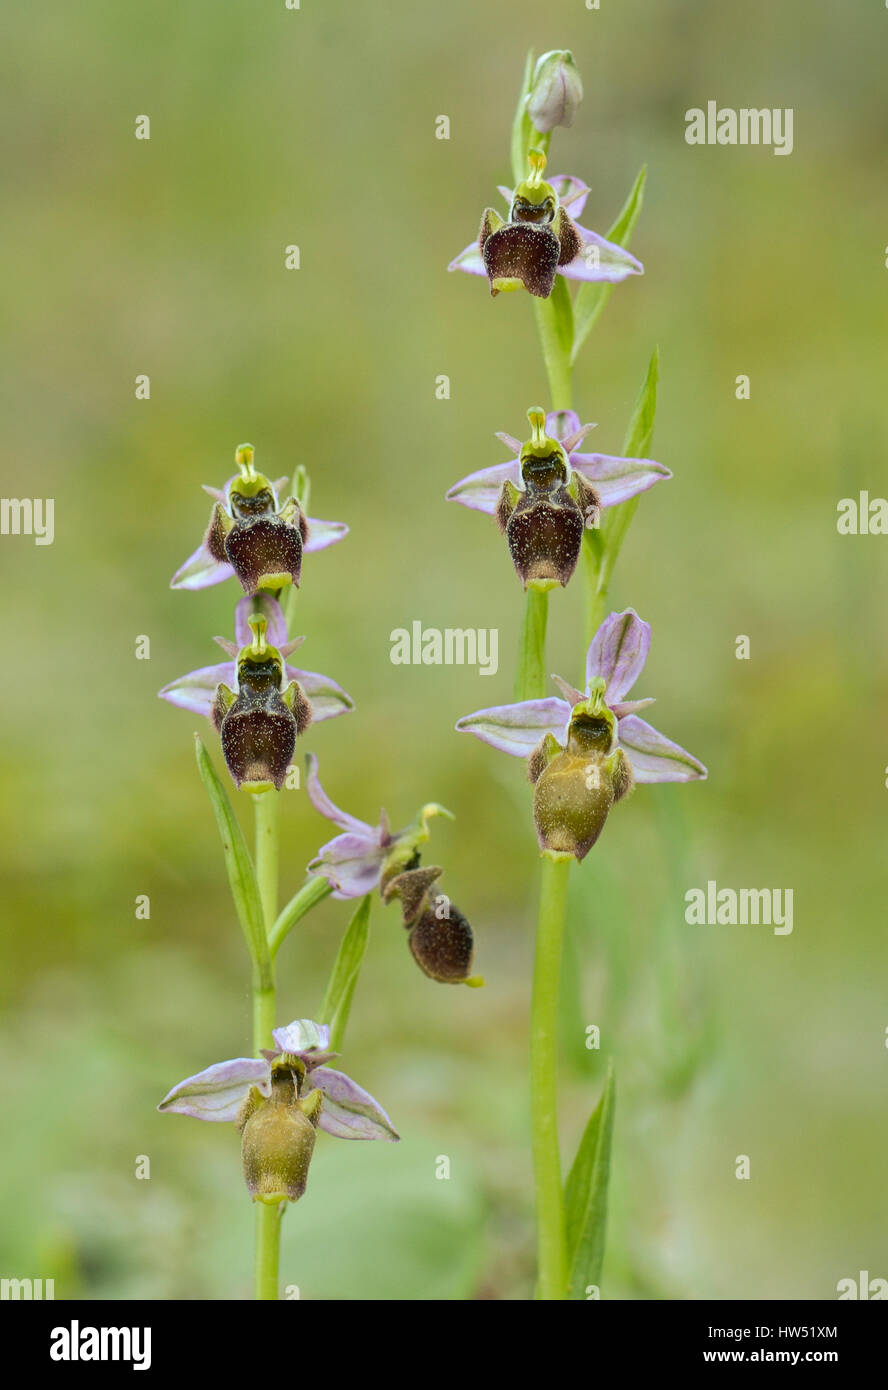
273,127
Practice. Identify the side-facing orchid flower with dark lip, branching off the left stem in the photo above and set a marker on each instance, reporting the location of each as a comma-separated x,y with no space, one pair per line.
375,857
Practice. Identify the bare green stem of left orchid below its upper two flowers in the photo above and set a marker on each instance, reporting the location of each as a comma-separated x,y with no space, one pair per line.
268,1243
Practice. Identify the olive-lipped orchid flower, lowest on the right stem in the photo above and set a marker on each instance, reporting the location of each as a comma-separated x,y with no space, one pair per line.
587,750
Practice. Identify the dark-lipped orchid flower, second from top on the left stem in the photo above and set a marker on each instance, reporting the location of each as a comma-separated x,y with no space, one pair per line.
259,704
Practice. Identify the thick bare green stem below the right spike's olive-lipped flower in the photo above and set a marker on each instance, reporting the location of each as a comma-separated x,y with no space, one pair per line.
552,1245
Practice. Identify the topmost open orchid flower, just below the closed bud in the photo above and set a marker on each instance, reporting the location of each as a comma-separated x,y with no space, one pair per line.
541,238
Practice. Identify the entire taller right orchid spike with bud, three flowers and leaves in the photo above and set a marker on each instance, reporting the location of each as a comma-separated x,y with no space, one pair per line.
548,502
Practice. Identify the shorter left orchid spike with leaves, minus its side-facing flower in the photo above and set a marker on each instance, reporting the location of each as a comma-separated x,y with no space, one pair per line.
259,704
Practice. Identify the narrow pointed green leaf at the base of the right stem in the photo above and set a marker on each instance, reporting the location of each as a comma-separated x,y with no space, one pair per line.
586,1196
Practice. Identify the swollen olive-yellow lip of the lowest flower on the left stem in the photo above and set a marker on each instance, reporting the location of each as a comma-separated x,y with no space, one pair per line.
279,1140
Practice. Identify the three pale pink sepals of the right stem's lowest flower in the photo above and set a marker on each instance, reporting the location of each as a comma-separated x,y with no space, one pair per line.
616,657
